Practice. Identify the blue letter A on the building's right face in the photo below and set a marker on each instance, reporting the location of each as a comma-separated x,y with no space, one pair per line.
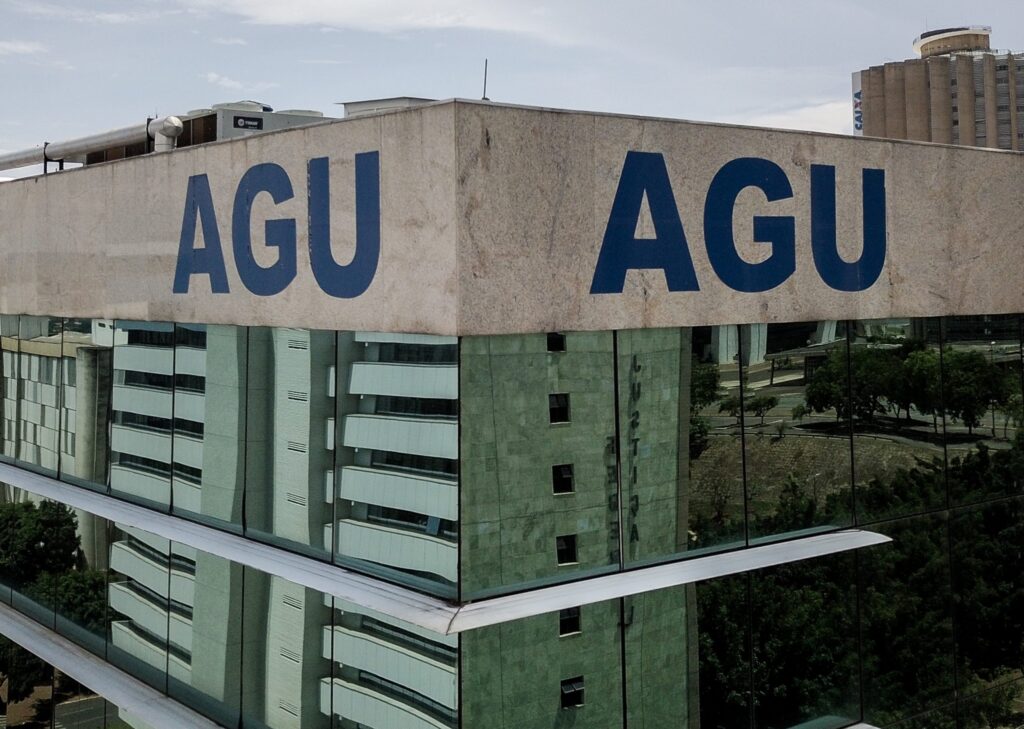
621,251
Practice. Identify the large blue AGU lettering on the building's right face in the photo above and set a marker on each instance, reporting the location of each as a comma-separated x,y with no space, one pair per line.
646,175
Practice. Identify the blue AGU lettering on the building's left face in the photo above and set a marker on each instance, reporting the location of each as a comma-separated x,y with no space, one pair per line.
343,281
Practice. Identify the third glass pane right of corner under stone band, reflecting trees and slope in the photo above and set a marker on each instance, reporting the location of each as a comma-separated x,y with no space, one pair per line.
797,427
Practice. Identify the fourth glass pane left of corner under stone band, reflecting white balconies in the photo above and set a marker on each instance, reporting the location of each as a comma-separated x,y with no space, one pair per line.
143,410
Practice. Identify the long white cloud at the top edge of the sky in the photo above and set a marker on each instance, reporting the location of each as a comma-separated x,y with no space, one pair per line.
521,17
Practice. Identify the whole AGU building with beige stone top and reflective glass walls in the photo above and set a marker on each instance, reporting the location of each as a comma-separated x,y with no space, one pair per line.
482,416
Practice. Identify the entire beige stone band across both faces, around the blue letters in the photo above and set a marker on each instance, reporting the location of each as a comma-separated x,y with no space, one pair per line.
493,219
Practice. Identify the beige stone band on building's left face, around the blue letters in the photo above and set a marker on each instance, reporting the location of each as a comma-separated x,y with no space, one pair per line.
103,241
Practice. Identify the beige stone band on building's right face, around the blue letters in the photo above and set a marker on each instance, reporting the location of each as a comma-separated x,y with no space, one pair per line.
535,204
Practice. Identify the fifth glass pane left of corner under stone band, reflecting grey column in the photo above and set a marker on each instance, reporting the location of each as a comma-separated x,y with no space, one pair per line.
89,376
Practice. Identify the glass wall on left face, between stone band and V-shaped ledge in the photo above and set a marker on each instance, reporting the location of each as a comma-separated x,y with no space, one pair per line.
339,446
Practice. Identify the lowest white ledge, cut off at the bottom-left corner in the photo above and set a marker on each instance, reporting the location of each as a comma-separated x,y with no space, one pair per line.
132,697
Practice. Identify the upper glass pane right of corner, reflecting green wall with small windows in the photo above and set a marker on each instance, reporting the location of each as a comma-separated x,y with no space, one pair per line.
511,517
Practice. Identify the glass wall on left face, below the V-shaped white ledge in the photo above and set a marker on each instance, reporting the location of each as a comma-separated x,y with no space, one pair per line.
242,648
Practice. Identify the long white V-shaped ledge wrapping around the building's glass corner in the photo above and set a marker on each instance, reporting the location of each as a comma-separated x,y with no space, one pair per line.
422,611
